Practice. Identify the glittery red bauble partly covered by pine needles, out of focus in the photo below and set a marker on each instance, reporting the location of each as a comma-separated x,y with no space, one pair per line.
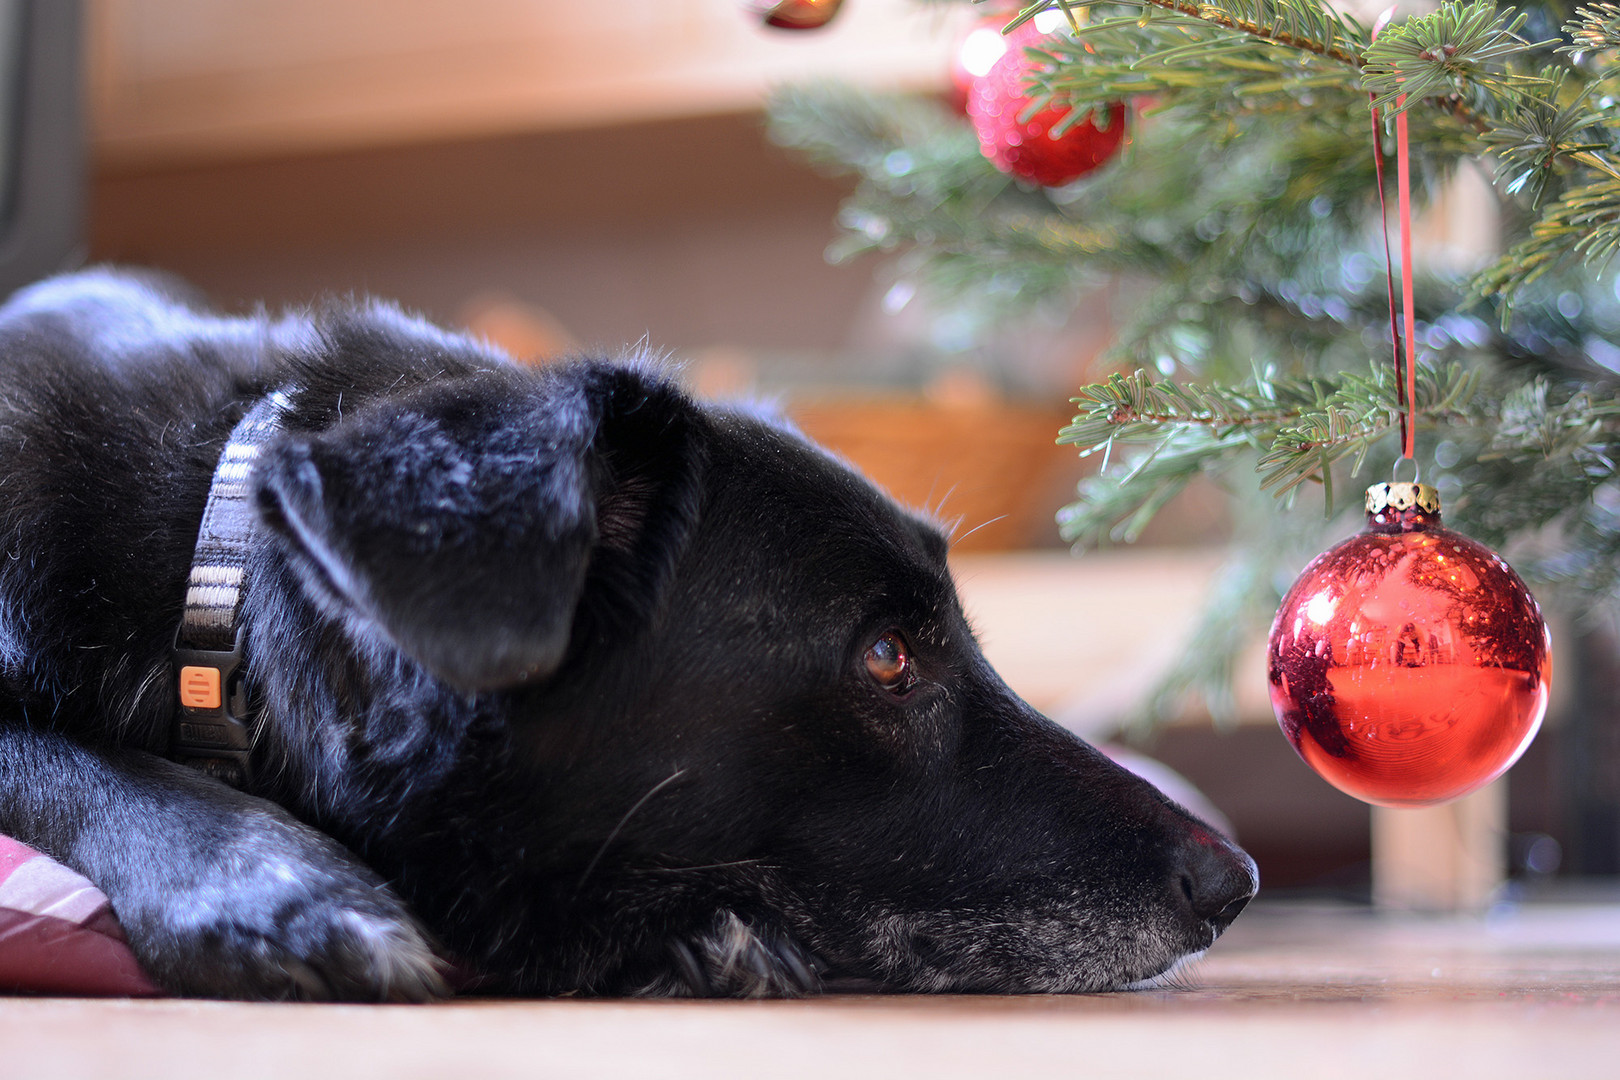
1026,148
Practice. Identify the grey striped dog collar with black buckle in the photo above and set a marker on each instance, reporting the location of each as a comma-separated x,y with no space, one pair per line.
210,728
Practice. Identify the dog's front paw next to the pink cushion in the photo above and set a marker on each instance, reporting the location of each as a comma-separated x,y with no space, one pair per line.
278,912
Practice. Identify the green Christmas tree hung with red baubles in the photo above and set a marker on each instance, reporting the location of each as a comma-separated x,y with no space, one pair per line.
1248,210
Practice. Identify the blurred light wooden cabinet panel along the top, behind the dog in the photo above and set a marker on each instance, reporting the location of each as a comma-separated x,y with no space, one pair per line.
187,80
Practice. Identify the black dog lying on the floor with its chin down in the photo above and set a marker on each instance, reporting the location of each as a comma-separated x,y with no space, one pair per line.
550,673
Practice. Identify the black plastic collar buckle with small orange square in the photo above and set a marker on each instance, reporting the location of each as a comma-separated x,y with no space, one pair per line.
210,731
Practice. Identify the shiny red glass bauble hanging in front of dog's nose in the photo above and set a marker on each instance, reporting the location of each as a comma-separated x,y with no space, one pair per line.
1410,665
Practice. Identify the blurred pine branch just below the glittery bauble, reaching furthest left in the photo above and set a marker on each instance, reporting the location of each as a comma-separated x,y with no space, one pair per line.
1187,210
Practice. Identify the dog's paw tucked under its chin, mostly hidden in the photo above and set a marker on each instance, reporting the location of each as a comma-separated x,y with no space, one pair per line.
738,959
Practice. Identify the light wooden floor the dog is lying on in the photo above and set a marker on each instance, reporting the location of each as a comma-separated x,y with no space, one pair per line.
1292,992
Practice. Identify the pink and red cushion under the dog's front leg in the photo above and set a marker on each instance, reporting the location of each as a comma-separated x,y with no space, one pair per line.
58,932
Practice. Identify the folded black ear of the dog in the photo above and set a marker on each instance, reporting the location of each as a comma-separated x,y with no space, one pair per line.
464,519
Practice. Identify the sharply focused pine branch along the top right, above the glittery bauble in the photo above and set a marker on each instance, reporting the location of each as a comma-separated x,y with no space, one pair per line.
1462,59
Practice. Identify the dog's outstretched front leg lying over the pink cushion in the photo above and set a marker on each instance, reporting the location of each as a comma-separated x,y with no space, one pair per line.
221,895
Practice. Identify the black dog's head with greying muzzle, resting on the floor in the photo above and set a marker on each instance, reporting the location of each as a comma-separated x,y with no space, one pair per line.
704,712
